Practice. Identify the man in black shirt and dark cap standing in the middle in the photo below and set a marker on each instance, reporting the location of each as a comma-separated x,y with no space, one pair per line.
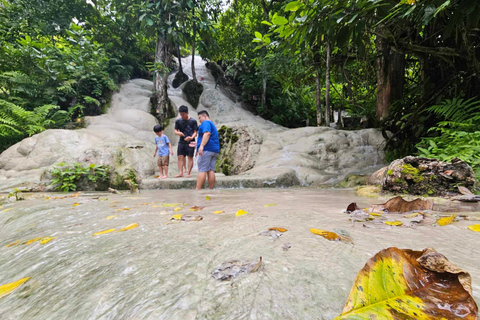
186,128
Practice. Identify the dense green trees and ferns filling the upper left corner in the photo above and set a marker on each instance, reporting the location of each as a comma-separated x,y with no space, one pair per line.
60,61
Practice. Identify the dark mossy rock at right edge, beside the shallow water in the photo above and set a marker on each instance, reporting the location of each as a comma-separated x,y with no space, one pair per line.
423,176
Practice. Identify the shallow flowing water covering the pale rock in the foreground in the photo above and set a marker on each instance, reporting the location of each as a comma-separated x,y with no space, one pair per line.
164,271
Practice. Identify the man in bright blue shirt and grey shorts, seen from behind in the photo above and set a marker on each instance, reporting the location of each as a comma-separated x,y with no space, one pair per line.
208,149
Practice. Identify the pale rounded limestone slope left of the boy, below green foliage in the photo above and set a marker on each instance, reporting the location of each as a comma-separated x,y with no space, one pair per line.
122,138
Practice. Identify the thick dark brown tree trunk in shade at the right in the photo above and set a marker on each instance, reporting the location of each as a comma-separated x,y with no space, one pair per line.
390,78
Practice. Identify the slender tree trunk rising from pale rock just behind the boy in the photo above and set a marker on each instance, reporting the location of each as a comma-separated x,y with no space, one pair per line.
162,54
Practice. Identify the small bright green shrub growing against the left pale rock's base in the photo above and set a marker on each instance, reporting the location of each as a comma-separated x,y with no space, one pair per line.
66,177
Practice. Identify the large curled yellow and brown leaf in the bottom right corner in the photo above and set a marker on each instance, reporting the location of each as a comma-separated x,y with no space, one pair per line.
407,284
